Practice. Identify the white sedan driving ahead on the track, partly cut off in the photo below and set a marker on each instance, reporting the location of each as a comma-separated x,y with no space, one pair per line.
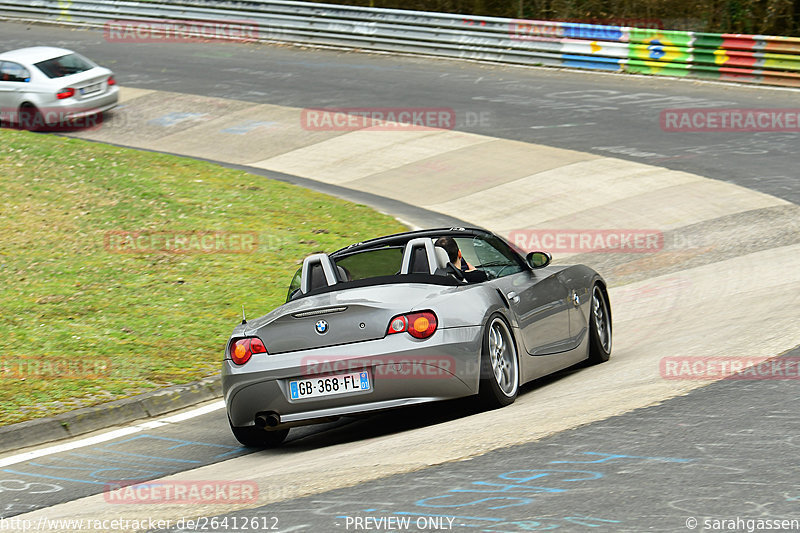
44,87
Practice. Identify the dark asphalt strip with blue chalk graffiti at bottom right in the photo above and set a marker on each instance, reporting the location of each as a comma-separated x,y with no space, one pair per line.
702,459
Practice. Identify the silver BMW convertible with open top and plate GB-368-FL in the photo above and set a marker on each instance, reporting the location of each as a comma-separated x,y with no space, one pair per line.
406,319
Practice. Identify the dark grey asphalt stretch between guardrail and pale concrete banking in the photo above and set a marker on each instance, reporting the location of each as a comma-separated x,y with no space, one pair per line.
599,113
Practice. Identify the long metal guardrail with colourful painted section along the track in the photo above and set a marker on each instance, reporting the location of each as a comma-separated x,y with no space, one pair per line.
742,58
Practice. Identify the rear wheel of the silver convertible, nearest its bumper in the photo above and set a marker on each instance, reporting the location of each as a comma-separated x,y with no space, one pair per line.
499,384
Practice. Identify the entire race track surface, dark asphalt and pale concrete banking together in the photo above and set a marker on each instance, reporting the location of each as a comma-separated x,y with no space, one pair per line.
611,448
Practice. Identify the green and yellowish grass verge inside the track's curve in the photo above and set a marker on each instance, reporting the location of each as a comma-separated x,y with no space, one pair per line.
108,286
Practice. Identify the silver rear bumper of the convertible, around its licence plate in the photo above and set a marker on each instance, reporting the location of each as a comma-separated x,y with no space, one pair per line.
402,371
